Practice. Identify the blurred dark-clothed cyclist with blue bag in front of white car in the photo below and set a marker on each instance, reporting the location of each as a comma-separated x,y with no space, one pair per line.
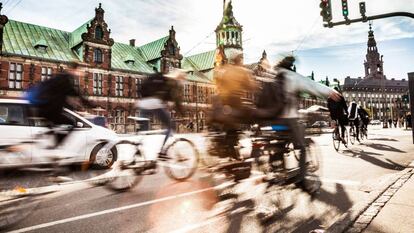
51,96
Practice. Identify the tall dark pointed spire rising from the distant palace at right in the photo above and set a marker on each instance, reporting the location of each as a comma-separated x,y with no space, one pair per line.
374,68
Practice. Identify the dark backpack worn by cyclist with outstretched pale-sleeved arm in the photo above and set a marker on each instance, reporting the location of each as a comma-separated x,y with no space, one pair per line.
271,99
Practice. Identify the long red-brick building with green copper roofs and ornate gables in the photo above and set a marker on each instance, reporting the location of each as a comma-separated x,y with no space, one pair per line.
110,73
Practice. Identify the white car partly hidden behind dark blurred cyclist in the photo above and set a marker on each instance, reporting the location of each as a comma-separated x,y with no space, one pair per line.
17,126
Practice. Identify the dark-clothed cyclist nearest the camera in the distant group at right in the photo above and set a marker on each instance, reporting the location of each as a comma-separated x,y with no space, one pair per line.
339,113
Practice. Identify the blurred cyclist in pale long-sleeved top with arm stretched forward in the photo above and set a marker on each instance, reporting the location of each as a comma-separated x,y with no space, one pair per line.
294,84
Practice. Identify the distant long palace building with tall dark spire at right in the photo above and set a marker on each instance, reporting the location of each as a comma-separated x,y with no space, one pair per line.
382,97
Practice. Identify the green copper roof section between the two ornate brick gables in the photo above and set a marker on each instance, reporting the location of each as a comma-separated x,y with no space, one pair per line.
121,52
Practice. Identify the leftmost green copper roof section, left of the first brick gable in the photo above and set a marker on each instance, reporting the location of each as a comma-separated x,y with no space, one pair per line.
20,39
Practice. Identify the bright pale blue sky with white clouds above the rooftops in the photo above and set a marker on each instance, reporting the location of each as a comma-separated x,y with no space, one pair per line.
277,26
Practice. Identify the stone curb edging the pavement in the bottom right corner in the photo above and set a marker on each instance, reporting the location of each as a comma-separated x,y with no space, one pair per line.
361,214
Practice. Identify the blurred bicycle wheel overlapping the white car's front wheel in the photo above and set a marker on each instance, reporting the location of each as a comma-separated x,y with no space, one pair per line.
125,174
